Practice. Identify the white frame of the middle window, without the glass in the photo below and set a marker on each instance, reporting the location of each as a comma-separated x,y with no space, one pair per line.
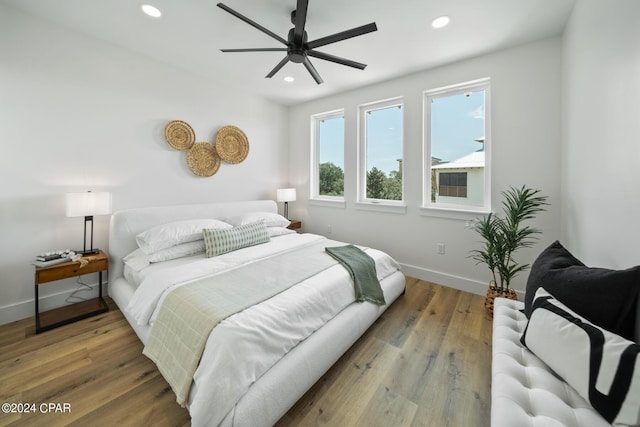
364,202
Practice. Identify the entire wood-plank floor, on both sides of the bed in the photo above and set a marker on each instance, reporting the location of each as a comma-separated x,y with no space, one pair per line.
425,362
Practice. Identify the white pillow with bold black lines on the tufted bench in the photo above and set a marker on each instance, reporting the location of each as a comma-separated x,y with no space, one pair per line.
601,366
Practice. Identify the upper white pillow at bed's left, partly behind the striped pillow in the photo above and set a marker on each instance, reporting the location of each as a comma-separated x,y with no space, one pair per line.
173,233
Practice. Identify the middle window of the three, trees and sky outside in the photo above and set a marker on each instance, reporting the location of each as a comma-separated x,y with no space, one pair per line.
380,165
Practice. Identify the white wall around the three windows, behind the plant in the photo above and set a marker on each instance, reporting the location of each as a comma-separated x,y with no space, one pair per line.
526,111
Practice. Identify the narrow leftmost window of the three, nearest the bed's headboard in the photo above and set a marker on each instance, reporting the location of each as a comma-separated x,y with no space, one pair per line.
328,156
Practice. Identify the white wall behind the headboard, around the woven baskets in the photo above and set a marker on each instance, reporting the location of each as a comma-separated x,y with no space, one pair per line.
78,114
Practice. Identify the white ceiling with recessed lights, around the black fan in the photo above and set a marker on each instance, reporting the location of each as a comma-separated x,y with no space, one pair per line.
190,33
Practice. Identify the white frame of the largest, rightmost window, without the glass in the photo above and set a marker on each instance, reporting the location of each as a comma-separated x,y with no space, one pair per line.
428,207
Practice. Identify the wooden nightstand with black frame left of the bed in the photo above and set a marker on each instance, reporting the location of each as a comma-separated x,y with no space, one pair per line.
70,313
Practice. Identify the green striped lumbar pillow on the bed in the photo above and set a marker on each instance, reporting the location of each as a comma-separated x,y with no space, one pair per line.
220,241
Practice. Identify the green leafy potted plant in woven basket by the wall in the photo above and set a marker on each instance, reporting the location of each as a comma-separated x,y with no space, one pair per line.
504,236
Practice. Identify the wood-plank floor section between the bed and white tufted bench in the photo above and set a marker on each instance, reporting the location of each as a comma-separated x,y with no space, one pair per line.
425,362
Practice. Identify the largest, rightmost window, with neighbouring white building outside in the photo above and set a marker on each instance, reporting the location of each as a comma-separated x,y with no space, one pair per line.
457,147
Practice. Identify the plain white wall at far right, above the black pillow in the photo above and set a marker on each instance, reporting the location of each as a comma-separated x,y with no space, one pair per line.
601,130
